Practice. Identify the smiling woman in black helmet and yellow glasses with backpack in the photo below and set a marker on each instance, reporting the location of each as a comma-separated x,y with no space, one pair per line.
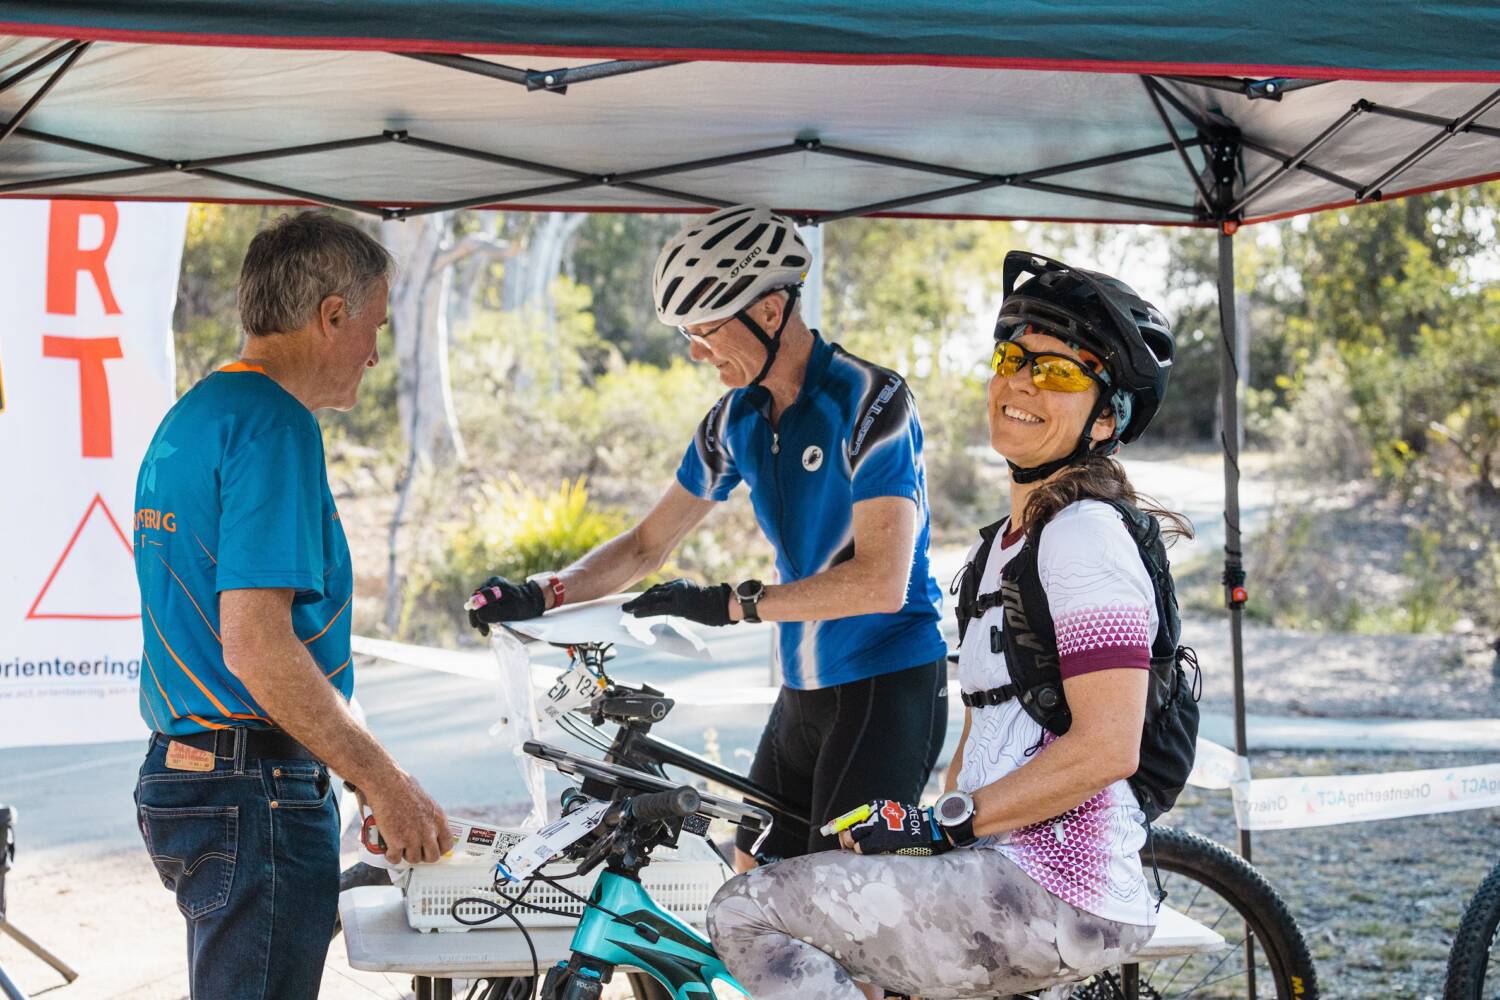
1027,873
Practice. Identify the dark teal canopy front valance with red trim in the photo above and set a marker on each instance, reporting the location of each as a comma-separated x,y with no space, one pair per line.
1334,38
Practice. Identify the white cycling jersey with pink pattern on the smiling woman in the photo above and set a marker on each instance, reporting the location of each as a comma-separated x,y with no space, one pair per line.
1105,617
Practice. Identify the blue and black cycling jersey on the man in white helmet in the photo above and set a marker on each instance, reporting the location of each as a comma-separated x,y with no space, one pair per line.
851,436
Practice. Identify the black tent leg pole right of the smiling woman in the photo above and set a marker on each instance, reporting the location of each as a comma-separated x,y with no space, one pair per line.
1234,561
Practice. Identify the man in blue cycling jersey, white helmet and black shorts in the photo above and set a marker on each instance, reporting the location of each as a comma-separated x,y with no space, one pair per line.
832,449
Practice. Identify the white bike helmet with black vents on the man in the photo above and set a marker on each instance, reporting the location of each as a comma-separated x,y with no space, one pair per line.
718,266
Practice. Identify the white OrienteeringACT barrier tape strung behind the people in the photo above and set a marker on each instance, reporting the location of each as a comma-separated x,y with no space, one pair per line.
1261,804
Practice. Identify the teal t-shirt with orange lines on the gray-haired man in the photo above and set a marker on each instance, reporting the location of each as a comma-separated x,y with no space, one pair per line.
233,494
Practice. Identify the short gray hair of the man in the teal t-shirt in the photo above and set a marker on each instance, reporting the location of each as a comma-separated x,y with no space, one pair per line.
298,262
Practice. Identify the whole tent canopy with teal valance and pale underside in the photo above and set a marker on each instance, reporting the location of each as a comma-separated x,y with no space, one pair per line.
976,110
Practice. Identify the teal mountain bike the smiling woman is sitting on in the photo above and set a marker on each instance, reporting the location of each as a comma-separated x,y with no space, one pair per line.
1225,935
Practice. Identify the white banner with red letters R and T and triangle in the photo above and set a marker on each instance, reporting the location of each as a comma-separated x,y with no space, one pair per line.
86,374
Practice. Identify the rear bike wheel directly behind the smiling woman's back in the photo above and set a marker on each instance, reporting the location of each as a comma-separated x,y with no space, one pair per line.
1232,885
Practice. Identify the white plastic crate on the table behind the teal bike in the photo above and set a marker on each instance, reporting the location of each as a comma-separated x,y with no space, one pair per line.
682,882
